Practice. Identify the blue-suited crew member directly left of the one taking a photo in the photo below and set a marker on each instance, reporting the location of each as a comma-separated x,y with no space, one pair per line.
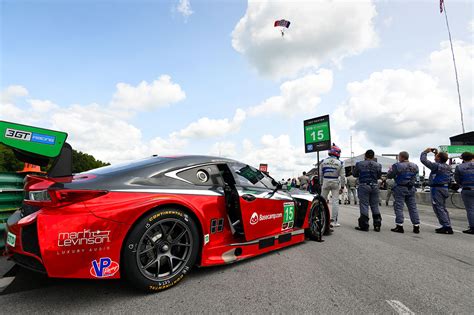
404,172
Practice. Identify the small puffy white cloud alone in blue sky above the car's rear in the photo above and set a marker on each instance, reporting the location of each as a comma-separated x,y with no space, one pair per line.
147,96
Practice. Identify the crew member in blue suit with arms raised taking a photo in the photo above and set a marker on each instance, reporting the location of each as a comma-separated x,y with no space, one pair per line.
438,180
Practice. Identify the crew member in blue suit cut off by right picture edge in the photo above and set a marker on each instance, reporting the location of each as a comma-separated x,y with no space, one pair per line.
464,176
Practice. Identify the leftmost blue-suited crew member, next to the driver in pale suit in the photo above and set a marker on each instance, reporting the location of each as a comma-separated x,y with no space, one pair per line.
368,172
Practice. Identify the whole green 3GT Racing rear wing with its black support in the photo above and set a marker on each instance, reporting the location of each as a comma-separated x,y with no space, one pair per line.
38,146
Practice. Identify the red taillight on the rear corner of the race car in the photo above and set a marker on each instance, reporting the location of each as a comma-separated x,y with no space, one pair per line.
61,197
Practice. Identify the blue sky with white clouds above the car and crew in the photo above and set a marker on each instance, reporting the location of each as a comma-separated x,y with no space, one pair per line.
76,52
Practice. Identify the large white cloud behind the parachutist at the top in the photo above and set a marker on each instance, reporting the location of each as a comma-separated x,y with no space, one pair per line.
320,31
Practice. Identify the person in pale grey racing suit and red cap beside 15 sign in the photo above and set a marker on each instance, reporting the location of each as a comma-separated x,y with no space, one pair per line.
332,174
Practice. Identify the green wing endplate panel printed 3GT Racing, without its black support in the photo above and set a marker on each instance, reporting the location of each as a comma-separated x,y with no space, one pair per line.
31,139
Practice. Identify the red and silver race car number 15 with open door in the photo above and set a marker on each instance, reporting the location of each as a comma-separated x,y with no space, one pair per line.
152,220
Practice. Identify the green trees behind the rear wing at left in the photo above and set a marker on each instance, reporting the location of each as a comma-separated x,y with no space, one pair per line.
81,162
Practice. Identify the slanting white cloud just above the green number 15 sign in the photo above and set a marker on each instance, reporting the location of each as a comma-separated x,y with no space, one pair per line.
297,96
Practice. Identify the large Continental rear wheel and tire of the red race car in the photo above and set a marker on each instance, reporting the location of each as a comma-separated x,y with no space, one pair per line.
160,249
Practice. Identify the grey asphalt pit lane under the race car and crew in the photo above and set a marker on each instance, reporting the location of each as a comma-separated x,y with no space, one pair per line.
351,272
